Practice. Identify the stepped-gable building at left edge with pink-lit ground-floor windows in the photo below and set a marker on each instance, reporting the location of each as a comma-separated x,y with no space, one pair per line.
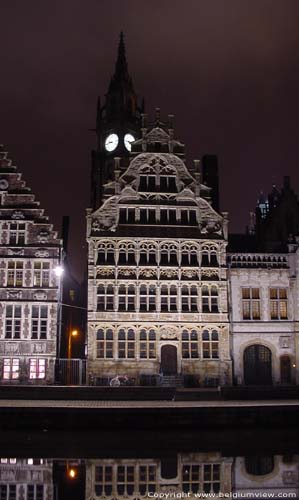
29,289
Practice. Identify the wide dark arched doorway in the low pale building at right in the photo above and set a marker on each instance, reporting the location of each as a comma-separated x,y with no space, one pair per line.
257,365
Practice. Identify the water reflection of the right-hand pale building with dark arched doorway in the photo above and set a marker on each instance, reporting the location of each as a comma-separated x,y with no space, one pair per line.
266,474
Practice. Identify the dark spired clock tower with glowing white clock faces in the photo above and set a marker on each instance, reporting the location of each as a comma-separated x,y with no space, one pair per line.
118,124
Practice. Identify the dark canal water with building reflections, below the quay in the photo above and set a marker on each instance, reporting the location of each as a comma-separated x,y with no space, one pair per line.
230,463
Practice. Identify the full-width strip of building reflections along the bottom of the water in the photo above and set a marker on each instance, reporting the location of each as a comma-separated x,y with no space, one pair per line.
185,475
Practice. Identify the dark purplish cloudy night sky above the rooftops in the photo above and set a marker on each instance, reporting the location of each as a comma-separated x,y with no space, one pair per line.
227,69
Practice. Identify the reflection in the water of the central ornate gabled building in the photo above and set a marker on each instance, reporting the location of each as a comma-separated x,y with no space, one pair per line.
123,478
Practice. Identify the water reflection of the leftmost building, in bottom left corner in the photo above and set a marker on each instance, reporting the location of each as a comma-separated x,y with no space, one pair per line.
26,479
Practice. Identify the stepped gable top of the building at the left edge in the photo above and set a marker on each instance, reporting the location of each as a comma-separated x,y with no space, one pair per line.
17,203
